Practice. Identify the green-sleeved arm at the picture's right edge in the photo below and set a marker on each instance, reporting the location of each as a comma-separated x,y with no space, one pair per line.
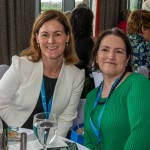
138,105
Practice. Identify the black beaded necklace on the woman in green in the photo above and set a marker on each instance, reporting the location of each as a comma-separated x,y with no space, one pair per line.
112,89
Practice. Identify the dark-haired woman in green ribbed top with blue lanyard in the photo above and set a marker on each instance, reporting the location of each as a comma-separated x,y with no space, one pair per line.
117,112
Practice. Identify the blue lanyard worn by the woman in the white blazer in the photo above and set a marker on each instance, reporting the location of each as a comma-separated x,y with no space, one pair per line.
43,97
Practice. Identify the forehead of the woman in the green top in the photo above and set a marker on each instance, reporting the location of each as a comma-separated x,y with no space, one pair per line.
113,40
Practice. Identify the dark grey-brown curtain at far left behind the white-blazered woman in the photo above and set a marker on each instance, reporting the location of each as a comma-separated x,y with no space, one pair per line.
17,17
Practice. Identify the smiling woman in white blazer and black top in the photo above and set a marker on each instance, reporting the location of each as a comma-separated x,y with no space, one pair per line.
49,61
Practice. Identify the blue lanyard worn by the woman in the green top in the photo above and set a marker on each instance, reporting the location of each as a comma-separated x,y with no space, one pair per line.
95,130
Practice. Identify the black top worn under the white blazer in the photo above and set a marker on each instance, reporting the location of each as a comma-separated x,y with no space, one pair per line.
49,85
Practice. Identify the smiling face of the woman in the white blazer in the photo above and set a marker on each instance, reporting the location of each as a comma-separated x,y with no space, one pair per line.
52,39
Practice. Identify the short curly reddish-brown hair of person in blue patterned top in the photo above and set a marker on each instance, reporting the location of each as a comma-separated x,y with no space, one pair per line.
138,19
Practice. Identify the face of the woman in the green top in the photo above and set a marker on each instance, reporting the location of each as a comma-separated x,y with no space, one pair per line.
111,56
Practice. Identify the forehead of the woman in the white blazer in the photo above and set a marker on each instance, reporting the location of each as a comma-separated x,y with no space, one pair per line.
52,25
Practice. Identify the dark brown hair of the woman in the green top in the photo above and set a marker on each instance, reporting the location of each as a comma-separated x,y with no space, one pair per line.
119,33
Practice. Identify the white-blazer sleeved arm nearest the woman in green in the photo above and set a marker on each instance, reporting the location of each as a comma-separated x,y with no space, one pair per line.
66,118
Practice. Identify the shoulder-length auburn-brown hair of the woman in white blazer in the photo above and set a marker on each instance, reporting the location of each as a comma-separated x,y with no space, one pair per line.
34,53
